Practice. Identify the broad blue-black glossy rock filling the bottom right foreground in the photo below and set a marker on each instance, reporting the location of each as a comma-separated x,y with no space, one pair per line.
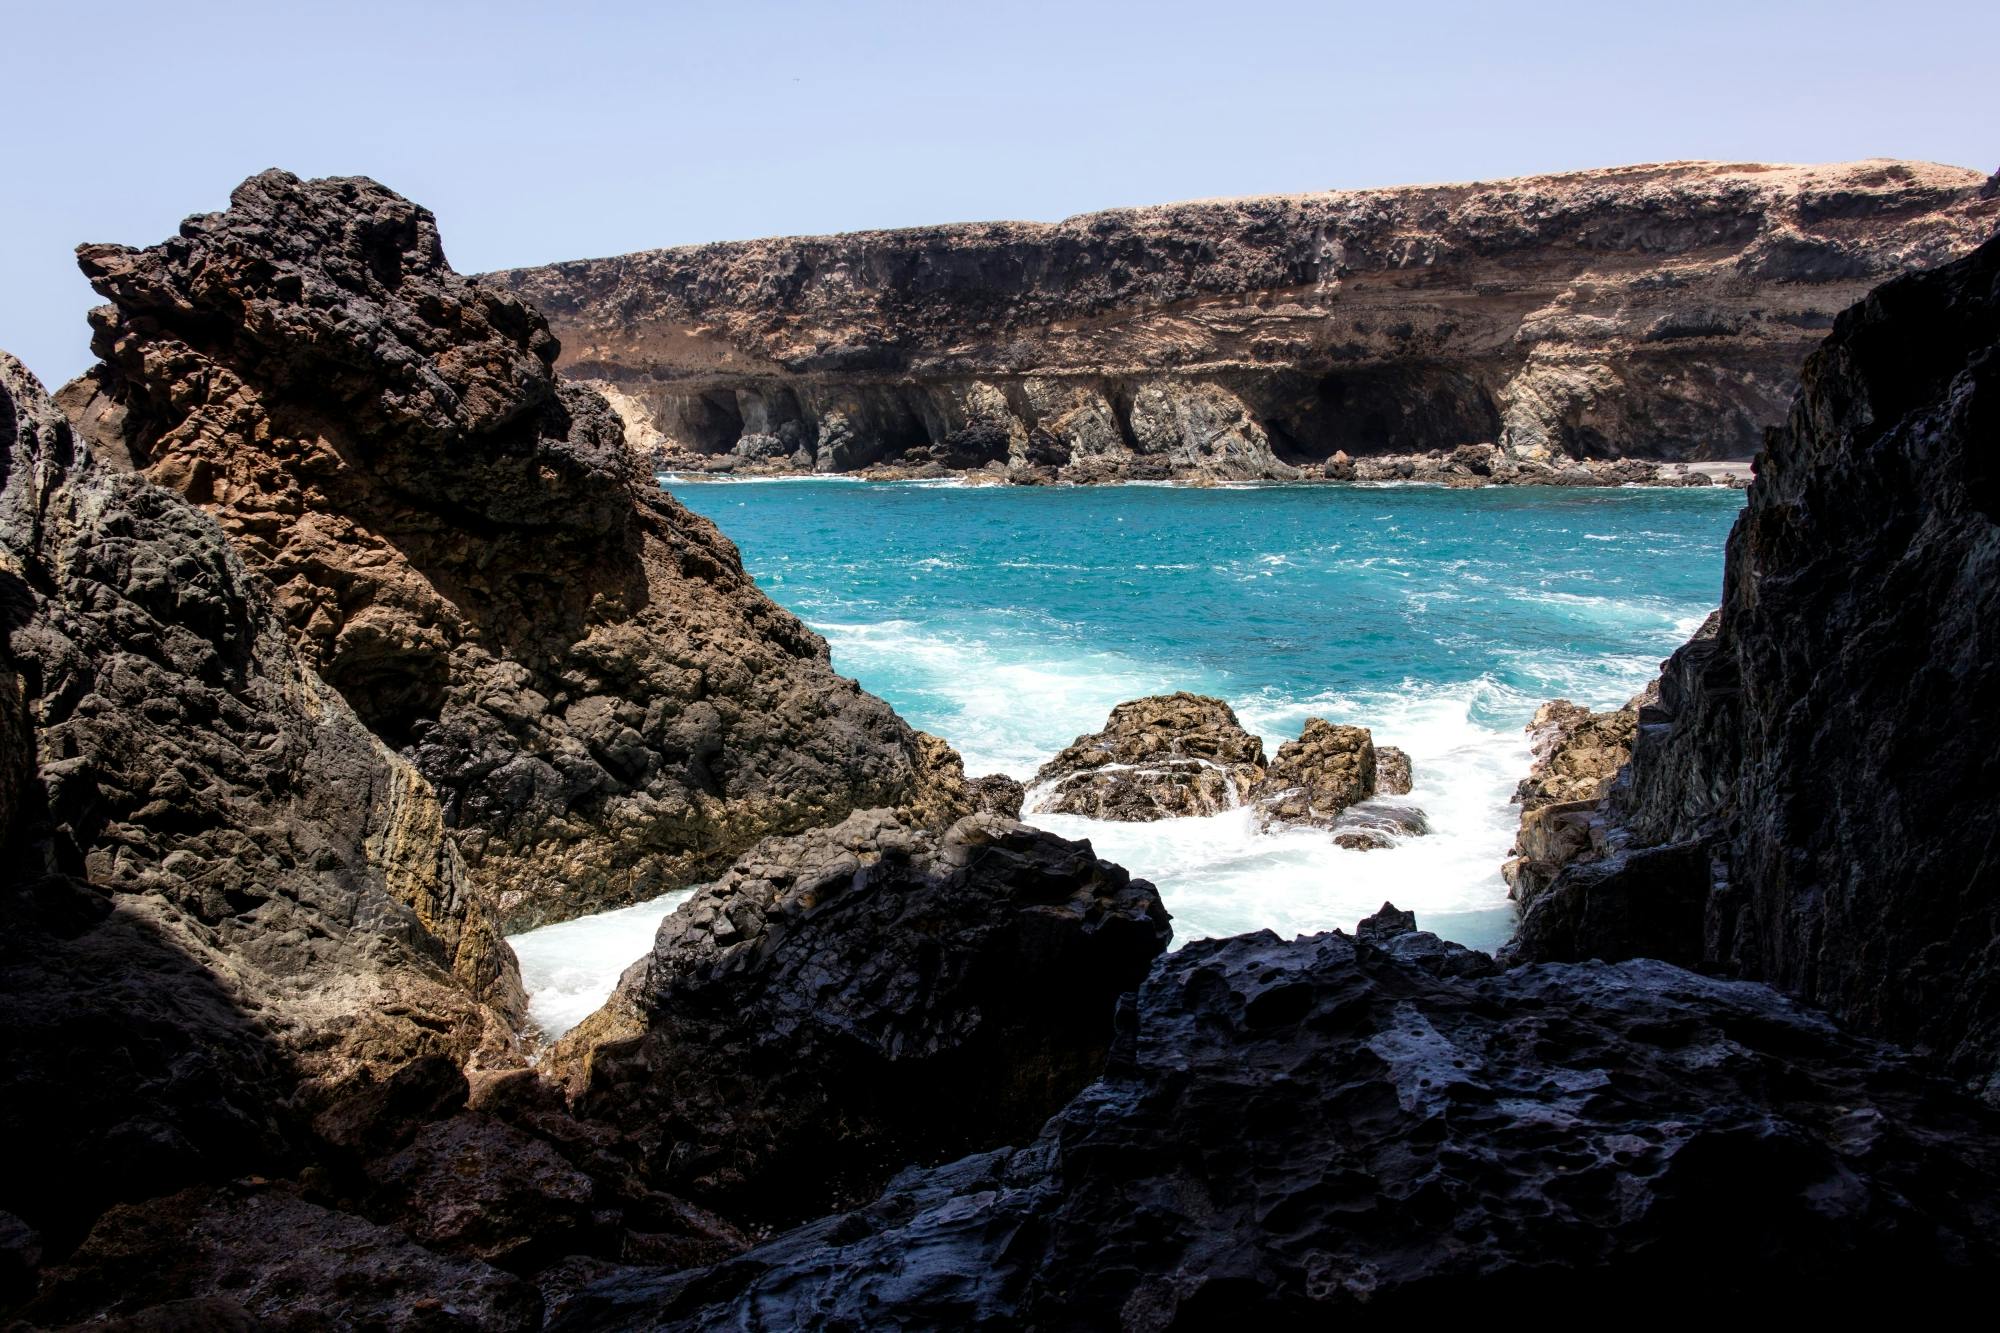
1383,1128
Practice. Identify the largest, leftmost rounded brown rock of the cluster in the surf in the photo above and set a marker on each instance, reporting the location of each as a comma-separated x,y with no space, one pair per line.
1157,758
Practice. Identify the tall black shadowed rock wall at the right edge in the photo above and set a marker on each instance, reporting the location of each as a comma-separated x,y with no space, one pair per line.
1817,776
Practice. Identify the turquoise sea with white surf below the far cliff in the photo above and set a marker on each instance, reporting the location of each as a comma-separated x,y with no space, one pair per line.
1009,621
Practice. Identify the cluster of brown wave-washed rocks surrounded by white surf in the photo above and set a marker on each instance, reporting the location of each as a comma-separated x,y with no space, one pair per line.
1179,756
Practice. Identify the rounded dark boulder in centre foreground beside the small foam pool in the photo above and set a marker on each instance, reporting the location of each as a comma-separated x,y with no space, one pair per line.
861,998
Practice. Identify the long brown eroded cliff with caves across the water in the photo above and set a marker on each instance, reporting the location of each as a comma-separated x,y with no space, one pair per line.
1647,311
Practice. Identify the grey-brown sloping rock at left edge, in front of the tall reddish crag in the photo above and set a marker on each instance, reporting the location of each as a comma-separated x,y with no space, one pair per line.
233,922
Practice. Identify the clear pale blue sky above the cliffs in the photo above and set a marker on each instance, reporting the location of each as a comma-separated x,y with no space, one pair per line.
563,131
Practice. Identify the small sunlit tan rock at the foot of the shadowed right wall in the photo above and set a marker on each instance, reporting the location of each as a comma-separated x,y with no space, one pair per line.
1577,758
